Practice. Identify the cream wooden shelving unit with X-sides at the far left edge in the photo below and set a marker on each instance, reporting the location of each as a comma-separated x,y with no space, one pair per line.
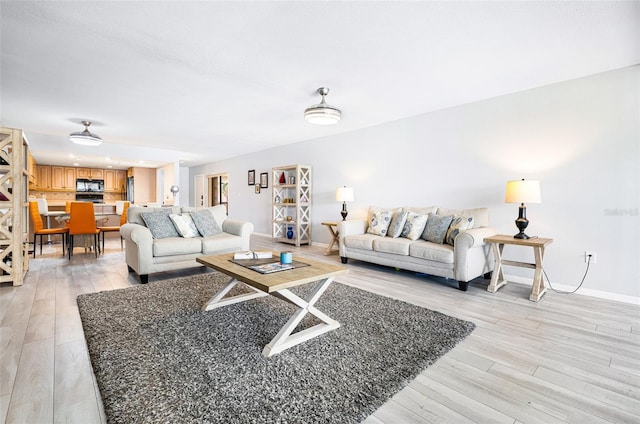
14,205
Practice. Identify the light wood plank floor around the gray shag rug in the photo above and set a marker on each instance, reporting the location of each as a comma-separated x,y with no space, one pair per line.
567,358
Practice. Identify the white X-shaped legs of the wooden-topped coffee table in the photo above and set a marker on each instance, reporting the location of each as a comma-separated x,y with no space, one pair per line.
284,339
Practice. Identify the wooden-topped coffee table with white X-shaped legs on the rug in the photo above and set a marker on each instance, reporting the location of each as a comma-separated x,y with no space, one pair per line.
278,284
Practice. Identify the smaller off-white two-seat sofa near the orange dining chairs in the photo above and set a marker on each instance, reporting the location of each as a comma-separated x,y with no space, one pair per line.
146,255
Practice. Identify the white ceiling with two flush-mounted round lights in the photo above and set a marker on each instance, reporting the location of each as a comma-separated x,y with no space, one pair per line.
204,81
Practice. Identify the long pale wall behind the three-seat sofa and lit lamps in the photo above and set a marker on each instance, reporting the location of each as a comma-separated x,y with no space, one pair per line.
579,138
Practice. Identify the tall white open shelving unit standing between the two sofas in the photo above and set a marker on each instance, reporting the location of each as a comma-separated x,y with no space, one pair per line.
291,204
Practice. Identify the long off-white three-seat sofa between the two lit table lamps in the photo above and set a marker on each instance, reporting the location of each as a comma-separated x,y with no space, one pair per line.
469,257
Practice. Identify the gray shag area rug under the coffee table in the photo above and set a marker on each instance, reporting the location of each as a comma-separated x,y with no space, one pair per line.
158,358
